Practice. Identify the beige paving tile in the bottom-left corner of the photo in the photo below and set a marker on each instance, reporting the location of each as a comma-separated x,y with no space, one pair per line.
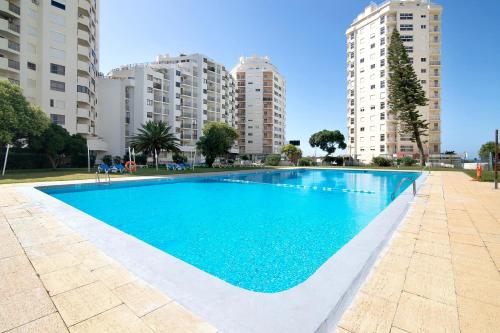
22,308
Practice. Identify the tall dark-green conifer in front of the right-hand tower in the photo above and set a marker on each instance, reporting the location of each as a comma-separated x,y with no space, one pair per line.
406,94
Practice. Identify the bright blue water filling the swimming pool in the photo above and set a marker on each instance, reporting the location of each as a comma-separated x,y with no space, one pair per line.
265,232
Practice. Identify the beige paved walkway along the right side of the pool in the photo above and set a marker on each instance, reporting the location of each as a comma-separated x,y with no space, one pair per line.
441,271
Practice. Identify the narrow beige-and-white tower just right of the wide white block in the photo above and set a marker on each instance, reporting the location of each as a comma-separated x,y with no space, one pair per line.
261,107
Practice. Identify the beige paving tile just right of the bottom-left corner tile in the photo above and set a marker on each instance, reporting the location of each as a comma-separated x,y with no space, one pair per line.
82,303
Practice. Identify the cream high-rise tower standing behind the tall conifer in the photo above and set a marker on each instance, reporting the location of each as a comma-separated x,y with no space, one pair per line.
371,130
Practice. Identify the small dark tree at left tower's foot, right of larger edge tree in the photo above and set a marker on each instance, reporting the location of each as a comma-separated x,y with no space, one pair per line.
53,143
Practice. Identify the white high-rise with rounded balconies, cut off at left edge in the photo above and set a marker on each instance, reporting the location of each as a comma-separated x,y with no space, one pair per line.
50,49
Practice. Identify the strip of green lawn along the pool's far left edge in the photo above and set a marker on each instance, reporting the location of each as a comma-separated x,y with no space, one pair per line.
47,175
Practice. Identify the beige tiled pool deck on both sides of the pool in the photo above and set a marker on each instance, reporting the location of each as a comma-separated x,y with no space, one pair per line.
439,274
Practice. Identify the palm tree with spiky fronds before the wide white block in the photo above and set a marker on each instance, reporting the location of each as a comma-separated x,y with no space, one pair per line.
155,136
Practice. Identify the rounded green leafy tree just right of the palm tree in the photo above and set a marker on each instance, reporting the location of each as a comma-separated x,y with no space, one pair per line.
216,141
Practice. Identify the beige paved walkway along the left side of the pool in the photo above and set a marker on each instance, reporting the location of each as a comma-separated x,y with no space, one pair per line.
52,280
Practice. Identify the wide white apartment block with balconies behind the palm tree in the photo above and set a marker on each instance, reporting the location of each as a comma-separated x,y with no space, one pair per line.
187,91
